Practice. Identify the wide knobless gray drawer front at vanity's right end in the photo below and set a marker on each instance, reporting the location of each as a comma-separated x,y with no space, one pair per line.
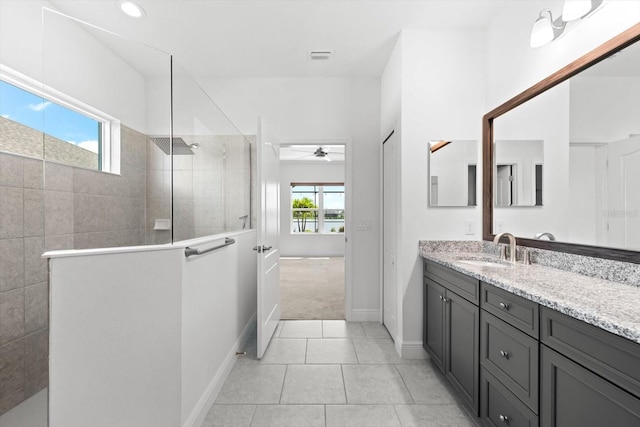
615,358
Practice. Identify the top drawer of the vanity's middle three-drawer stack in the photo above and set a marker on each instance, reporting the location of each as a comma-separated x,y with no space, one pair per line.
515,310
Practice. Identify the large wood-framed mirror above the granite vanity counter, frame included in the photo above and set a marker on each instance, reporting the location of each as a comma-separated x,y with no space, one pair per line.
606,215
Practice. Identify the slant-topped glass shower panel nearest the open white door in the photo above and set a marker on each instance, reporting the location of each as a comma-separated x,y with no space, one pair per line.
211,164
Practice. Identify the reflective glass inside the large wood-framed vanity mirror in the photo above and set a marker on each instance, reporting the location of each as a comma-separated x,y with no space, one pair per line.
588,129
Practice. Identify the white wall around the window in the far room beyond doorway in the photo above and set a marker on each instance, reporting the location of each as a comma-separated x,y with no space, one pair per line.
307,244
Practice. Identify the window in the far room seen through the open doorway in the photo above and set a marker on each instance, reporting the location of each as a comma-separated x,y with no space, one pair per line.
317,208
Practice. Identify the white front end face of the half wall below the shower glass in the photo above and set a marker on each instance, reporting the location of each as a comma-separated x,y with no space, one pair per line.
115,339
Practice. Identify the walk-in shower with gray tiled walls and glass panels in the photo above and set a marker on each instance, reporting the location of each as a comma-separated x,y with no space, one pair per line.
155,198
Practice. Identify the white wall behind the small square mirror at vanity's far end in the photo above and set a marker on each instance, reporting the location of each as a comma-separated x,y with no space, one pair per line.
442,97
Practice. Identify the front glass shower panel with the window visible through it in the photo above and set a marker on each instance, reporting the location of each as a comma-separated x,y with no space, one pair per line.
107,184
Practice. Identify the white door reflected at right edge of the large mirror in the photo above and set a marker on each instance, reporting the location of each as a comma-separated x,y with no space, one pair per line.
623,201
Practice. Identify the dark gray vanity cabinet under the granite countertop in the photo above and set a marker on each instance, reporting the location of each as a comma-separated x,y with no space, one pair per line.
518,364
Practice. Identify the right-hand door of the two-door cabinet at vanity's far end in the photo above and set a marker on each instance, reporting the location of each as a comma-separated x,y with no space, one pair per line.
462,329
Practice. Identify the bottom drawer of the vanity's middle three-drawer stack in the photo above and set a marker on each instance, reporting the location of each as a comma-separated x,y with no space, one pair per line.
499,407
